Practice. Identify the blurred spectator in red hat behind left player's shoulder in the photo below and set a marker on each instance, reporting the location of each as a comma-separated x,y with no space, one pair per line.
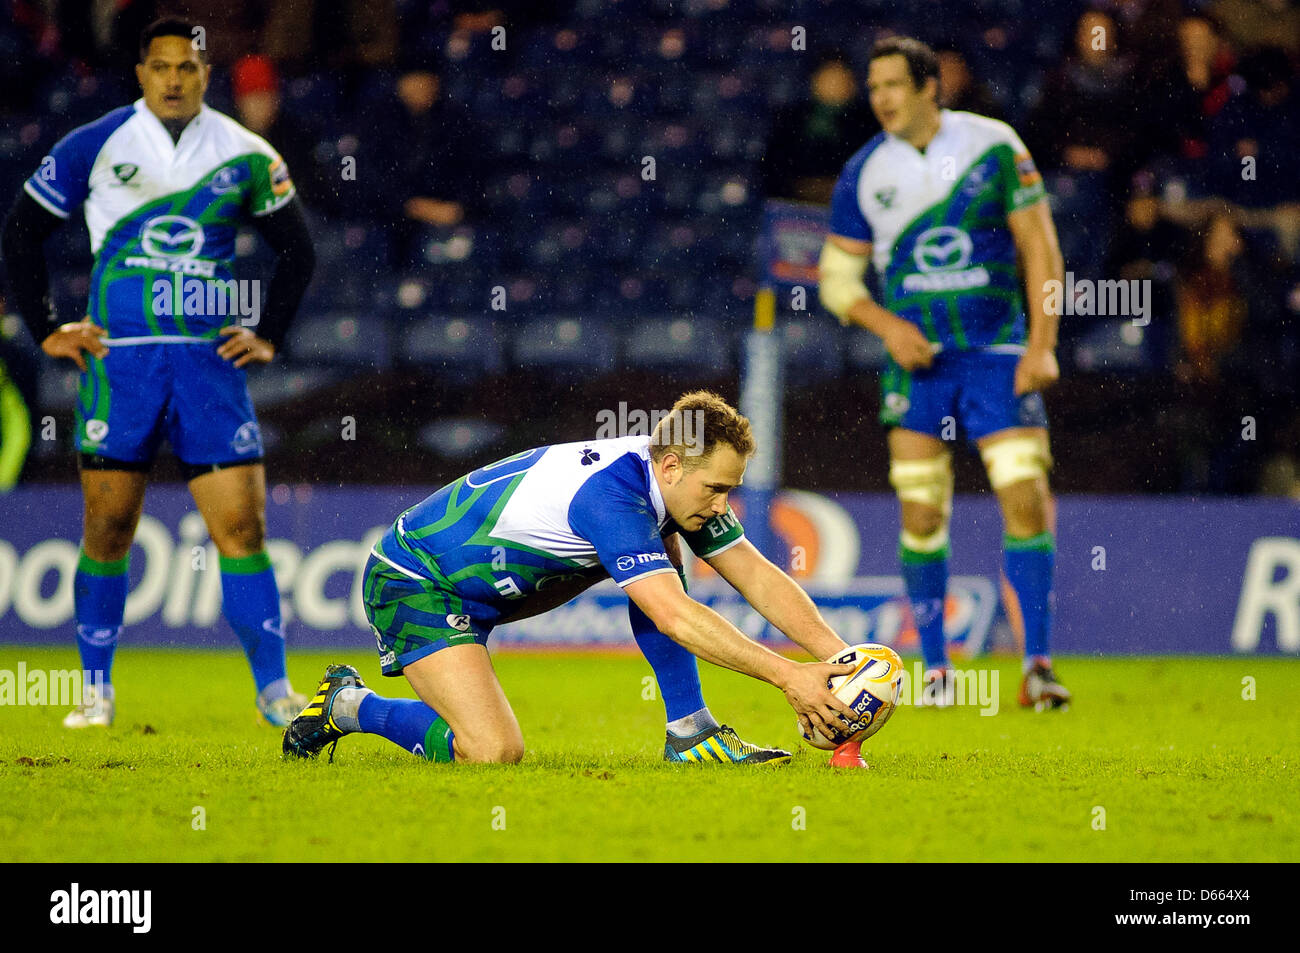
255,86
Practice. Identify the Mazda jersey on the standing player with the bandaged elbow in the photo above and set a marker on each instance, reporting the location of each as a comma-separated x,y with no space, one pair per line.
937,222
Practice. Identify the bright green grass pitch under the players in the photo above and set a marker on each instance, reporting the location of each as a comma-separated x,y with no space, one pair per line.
1181,765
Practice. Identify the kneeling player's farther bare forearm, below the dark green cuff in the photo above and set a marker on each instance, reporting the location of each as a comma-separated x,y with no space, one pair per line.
778,597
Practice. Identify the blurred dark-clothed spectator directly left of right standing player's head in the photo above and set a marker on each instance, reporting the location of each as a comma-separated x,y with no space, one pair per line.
812,141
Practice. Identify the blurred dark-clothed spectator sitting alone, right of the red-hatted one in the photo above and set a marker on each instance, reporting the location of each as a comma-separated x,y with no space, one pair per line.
431,161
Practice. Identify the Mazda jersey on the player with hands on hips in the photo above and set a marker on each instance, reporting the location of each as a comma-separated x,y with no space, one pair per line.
162,209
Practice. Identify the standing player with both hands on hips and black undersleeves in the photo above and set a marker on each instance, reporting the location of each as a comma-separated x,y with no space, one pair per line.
166,183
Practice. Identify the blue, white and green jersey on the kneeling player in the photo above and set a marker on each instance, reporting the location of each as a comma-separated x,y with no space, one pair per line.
543,518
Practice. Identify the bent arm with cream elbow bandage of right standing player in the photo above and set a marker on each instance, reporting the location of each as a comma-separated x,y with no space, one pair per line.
844,262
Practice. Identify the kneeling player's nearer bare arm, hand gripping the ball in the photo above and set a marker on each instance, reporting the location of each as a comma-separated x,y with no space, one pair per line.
705,634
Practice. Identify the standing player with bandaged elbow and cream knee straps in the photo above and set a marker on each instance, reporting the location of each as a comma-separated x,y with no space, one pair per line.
952,213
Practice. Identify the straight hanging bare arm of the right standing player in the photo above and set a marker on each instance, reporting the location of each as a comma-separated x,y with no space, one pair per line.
1041,259
